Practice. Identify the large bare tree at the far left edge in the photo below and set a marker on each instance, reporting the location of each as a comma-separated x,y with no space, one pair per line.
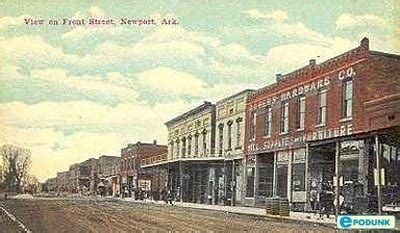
16,164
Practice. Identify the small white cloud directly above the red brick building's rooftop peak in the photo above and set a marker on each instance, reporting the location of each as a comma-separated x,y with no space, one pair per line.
348,21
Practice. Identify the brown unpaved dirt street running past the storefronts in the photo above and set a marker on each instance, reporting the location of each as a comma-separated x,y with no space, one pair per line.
116,216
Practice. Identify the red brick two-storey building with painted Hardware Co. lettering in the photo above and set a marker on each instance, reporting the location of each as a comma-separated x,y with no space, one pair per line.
327,126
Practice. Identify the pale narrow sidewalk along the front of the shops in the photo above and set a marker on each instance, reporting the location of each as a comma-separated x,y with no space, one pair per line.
294,216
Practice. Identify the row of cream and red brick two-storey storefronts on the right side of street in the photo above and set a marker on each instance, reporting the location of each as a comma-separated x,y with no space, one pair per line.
325,133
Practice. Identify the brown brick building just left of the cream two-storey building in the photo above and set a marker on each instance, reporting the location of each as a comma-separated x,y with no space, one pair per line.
133,178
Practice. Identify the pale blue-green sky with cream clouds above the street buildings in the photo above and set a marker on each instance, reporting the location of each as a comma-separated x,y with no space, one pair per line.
68,93
